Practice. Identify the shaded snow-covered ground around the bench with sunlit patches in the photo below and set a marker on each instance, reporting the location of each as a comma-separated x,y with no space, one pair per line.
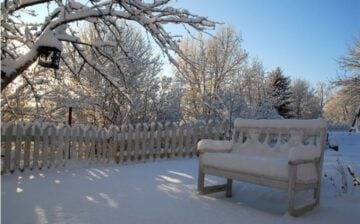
165,192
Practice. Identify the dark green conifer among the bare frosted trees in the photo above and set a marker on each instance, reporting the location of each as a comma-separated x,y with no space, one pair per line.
278,92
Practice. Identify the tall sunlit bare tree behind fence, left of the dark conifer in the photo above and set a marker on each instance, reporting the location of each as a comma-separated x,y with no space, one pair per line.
215,62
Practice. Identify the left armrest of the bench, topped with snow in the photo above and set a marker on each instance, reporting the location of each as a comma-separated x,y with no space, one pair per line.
207,145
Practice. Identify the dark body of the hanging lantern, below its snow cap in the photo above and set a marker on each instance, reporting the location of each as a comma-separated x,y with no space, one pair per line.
49,57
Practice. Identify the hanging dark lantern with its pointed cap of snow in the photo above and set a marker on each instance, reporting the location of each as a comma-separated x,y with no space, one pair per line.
49,50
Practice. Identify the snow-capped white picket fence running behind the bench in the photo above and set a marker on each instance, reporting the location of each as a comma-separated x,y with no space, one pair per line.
40,145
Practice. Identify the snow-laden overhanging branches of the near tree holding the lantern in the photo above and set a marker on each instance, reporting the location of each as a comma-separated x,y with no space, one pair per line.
21,39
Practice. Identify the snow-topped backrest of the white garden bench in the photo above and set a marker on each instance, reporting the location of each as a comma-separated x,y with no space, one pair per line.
277,136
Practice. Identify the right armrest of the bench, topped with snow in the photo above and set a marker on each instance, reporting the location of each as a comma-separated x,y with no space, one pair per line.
304,154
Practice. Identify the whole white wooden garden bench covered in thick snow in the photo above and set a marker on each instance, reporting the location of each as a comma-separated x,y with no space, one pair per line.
286,154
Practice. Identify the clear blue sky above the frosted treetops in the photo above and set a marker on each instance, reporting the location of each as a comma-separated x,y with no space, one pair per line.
303,37
